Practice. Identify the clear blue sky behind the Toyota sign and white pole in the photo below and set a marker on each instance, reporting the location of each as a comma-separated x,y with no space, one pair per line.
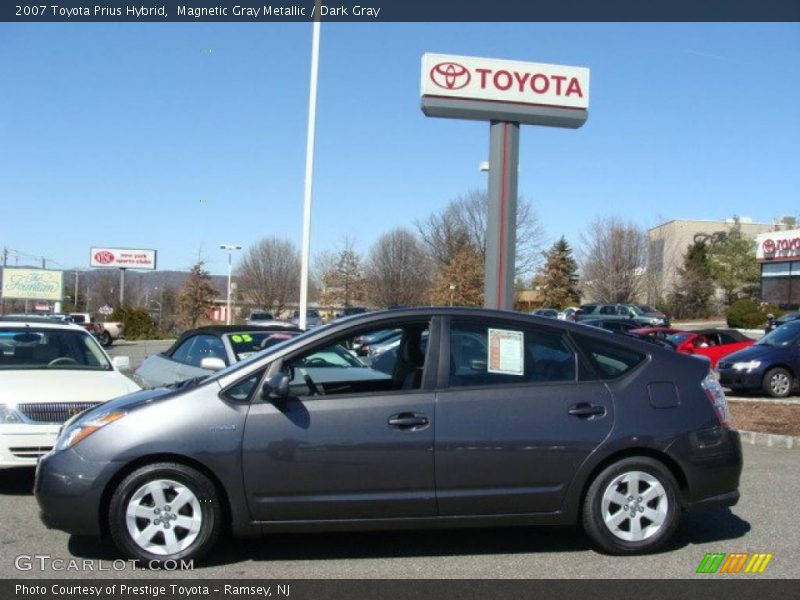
180,137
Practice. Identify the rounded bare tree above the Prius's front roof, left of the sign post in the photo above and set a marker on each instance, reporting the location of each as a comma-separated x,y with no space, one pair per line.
399,270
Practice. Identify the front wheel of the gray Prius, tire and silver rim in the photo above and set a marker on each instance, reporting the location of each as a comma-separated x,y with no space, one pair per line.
192,528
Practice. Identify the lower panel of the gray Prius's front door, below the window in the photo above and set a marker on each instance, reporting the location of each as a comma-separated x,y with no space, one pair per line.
337,457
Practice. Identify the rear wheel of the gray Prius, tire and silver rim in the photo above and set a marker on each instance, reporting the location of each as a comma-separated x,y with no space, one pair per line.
656,518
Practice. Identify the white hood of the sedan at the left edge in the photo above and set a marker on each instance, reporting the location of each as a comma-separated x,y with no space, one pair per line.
57,385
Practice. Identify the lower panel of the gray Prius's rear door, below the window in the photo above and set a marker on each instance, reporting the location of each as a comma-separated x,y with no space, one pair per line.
514,449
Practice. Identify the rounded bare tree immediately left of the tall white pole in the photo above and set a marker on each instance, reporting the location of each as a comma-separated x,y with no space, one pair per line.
269,273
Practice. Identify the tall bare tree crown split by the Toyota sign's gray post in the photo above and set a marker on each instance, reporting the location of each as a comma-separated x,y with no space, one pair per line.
466,215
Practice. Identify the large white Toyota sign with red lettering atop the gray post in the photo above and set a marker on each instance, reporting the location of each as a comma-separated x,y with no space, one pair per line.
467,87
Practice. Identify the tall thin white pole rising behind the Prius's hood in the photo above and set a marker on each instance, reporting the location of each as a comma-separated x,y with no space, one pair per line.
312,121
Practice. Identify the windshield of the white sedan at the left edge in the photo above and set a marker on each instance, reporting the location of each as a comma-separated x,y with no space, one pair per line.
46,348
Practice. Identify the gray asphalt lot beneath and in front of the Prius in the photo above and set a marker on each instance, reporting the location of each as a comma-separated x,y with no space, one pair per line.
764,521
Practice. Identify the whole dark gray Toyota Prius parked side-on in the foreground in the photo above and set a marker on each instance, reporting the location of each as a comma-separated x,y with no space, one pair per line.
482,418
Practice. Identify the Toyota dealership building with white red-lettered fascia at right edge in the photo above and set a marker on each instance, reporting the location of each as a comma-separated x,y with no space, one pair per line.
778,253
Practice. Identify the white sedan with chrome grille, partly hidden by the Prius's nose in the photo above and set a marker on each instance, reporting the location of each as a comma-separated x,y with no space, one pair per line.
49,372
